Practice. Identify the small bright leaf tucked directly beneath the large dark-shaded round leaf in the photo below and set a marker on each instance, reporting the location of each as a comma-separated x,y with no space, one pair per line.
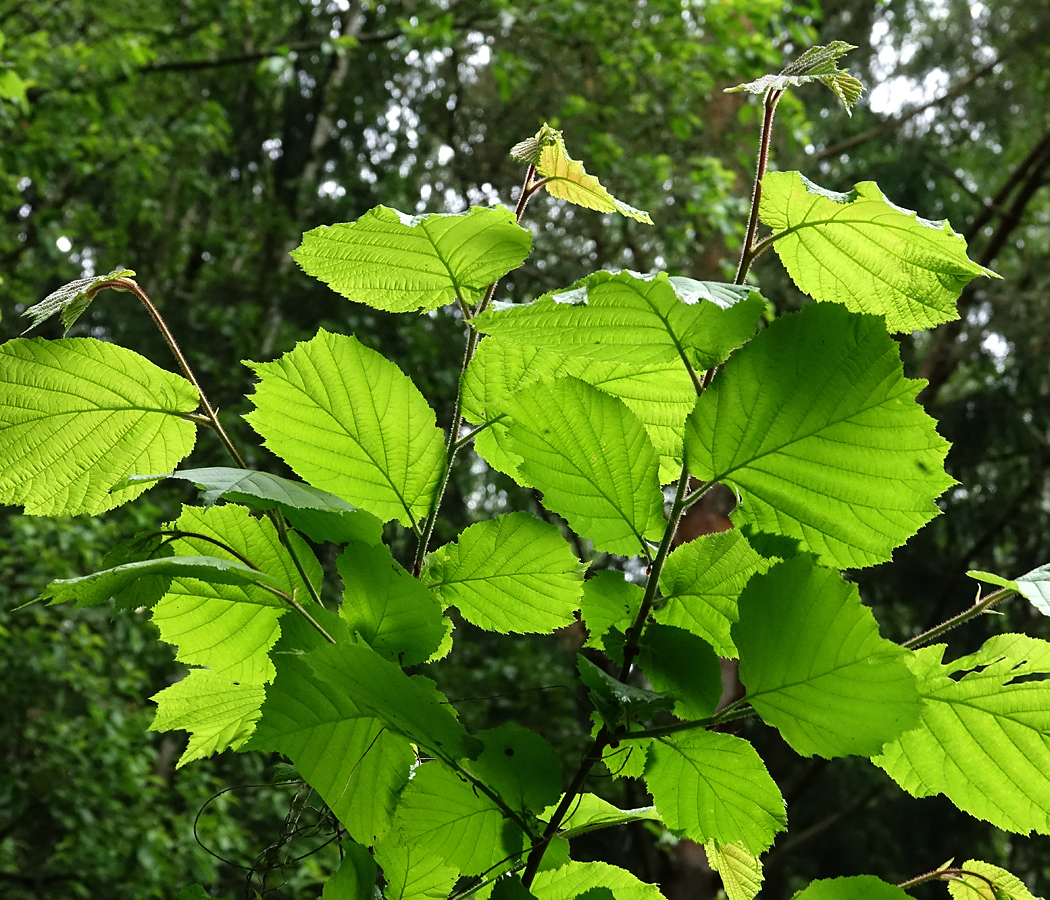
701,583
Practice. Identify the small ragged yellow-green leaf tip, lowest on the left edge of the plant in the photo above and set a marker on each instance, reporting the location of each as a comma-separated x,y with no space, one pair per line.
218,713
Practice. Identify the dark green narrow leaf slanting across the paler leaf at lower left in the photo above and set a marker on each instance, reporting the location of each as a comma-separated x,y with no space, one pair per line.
412,707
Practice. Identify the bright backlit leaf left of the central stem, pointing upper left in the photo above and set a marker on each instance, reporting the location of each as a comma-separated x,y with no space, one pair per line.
349,422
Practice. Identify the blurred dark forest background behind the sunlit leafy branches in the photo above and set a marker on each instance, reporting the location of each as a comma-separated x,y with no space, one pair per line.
196,141
